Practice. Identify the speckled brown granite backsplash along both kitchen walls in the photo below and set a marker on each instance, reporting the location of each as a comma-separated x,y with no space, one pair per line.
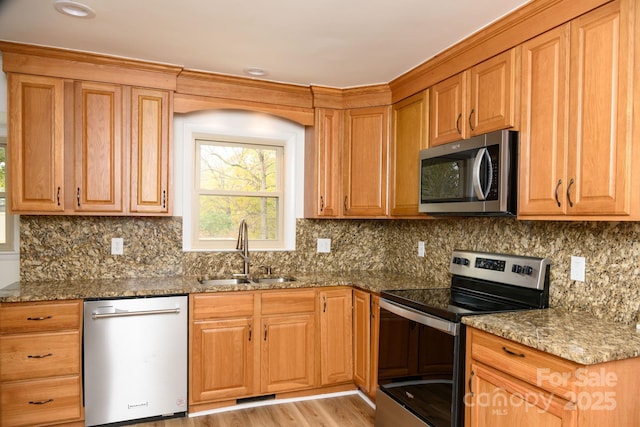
58,247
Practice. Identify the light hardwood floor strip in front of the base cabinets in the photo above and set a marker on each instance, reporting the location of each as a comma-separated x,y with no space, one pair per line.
343,411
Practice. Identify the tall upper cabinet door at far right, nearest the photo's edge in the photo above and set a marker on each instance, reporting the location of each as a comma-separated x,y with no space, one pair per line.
600,108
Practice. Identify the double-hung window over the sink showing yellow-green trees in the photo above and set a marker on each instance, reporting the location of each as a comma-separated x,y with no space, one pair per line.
236,179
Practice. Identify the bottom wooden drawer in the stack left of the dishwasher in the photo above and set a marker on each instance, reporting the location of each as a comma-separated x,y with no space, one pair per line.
40,402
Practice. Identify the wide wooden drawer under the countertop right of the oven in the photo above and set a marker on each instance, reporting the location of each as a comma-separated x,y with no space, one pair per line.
535,367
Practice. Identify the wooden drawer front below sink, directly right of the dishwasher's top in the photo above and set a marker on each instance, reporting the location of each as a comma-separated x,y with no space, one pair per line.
210,306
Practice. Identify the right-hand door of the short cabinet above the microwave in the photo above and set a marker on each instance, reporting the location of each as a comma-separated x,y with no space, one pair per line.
492,93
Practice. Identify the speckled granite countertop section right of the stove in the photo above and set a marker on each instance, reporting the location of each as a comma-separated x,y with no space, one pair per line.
576,336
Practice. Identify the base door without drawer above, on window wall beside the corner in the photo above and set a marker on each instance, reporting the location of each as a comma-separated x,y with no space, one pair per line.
336,336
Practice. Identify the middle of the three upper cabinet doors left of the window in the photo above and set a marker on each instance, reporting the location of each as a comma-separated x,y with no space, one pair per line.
98,147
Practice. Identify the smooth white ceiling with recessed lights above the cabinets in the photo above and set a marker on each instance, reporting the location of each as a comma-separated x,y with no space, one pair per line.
336,43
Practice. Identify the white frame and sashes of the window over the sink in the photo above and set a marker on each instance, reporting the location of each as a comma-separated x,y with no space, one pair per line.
200,139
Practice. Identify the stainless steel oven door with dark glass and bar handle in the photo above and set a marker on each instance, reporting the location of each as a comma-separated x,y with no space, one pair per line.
420,369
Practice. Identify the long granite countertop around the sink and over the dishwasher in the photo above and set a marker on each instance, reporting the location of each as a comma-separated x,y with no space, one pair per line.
374,281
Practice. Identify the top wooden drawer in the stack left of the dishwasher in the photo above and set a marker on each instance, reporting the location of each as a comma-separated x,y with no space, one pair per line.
39,317
